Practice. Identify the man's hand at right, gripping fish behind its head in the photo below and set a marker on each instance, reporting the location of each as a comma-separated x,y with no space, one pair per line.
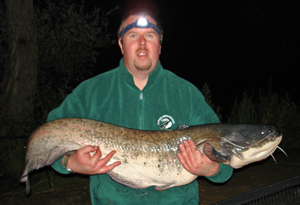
195,162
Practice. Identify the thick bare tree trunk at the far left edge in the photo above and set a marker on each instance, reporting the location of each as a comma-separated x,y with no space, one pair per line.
20,76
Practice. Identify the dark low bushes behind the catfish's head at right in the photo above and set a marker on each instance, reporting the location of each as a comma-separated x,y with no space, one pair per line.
272,109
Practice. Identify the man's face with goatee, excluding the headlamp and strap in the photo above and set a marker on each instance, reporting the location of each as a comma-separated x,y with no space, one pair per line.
140,46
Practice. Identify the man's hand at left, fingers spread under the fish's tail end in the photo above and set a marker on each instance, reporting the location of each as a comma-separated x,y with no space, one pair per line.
82,162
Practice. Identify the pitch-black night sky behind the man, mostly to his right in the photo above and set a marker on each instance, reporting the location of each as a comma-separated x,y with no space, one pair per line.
231,45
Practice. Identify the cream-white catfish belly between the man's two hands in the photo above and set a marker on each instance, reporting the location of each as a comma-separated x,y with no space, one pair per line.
141,170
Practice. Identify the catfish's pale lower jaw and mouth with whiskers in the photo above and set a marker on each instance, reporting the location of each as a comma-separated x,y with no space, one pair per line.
255,151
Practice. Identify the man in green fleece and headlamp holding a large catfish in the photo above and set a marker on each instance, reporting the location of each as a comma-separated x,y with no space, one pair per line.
139,94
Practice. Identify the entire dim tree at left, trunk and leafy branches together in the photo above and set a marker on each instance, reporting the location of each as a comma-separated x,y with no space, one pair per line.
68,41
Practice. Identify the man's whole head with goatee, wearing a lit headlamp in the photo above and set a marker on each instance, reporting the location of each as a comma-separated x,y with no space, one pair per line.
140,45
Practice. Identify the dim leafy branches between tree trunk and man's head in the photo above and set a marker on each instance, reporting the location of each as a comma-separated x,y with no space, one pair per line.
67,41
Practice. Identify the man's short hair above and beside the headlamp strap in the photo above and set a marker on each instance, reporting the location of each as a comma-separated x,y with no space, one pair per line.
143,12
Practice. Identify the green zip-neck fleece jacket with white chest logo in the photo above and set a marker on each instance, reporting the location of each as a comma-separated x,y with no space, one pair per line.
166,100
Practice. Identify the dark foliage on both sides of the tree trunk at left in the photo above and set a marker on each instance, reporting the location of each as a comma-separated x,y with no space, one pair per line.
68,39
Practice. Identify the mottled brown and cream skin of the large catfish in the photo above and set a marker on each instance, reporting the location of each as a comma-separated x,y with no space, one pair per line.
148,158
